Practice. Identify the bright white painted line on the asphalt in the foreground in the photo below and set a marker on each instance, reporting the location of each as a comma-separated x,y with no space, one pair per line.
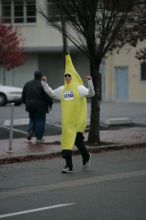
35,210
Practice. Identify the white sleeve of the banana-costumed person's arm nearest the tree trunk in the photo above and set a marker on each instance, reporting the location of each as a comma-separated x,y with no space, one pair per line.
88,92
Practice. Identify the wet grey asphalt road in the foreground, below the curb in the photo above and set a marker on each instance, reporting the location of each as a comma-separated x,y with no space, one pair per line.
113,188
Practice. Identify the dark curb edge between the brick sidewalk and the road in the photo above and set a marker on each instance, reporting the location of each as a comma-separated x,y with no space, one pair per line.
96,149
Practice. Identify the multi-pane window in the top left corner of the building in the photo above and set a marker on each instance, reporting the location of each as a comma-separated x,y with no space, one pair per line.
18,11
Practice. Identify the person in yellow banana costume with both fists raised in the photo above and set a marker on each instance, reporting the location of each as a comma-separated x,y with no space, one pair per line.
74,112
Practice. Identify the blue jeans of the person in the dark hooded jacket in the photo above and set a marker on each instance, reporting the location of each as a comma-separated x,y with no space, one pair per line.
37,124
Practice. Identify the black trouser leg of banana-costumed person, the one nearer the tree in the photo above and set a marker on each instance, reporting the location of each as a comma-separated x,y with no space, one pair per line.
79,142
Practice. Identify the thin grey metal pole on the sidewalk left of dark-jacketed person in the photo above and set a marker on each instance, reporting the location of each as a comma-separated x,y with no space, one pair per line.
11,128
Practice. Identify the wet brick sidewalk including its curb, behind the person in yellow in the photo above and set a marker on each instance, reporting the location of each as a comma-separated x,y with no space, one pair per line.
134,137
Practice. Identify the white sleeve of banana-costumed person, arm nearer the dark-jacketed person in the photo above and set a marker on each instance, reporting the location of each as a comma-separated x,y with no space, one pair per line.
56,93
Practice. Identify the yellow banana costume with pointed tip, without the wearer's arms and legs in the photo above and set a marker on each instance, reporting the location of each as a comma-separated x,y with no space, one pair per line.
74,108
